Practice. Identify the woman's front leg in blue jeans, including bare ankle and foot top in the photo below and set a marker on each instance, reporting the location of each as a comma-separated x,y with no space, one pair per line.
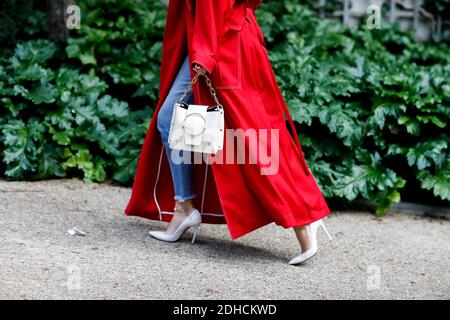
181,172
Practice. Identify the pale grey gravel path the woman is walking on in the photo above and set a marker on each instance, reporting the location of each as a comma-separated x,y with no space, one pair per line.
396,257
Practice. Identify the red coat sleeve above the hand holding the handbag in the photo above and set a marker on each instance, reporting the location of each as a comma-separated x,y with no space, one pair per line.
207,28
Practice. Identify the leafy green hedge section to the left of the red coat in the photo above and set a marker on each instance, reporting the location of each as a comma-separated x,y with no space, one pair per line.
63,106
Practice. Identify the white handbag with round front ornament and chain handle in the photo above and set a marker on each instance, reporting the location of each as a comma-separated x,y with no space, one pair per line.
198,128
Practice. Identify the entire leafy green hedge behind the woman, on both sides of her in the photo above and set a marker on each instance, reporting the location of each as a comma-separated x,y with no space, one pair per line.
372,106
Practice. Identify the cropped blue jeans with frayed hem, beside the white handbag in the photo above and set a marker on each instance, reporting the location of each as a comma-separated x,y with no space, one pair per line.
181,172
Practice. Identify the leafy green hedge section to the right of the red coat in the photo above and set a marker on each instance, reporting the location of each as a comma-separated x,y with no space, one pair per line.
373,104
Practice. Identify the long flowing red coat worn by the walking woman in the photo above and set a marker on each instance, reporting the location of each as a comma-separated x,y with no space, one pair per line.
228,42
